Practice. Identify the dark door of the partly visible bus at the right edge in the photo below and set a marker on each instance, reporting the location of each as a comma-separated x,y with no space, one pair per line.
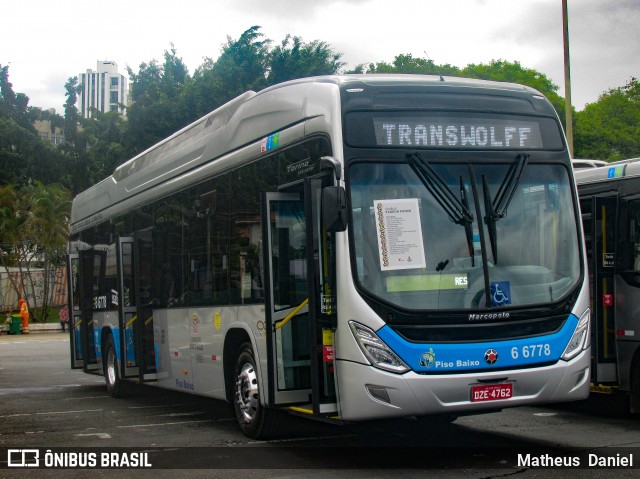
599,216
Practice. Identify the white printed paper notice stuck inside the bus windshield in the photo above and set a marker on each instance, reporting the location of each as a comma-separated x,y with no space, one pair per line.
400,244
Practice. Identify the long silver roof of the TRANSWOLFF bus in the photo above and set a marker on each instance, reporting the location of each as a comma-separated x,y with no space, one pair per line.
252,116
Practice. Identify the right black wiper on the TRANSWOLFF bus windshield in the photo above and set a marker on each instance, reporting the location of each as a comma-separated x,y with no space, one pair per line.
497,208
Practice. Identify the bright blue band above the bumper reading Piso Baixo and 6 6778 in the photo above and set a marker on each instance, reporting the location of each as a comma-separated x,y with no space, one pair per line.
443,357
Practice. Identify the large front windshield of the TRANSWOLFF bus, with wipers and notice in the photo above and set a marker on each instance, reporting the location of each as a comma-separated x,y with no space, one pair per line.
463,236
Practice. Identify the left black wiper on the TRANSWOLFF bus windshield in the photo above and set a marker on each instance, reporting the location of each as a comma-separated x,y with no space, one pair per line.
457,209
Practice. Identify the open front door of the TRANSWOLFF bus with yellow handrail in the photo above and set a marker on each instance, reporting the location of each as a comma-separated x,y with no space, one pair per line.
300,300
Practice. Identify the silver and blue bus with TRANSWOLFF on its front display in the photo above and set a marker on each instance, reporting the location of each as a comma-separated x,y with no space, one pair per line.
343,248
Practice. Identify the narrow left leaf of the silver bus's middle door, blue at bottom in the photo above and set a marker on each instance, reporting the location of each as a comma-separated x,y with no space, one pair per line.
127,308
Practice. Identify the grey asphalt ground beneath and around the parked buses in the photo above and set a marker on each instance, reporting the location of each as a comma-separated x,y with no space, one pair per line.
45,404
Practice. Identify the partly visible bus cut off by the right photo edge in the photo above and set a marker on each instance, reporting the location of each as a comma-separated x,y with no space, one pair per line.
610,204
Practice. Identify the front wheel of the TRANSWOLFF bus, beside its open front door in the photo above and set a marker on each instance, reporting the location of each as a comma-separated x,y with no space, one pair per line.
255,421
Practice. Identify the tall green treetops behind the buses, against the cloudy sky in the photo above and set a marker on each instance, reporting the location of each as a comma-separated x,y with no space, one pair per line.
166,98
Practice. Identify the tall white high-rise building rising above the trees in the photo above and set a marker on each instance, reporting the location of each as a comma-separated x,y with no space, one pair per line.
105,89
